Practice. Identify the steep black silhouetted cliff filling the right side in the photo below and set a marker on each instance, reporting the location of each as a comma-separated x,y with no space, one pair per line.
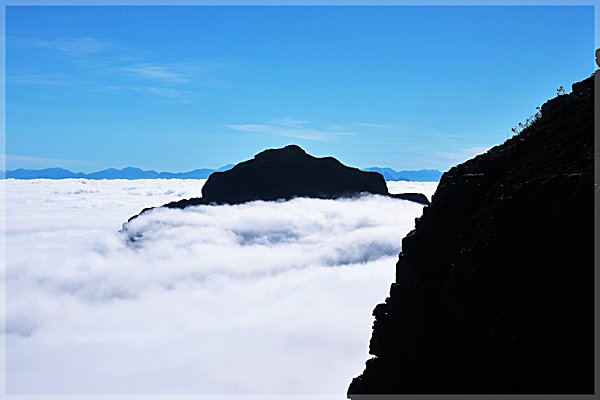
494,288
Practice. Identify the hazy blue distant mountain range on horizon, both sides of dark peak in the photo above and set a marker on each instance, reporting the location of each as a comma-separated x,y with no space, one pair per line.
424,175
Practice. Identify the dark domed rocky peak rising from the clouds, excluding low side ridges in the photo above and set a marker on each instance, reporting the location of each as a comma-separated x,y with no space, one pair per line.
286,173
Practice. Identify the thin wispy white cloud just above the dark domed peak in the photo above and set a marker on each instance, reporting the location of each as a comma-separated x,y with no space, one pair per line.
290,127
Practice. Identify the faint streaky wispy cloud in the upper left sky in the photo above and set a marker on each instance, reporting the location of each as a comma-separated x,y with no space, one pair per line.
103,65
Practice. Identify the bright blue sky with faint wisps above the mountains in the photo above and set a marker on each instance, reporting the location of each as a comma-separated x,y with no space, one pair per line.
178,88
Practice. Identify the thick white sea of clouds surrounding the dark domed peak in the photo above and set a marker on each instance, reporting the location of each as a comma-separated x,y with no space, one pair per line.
260,298
